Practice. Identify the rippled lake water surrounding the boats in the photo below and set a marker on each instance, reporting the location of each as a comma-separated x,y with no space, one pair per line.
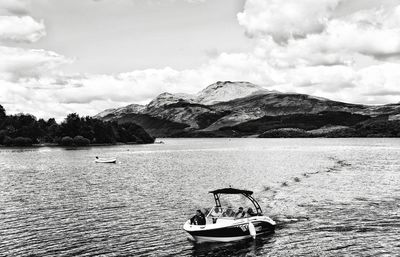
330,197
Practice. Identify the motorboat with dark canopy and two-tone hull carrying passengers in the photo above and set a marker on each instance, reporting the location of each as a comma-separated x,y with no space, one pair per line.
222,224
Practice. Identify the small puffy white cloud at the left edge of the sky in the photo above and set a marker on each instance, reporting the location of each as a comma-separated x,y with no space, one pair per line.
21,29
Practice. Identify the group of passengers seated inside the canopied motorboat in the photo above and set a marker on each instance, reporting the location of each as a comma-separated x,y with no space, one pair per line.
199,218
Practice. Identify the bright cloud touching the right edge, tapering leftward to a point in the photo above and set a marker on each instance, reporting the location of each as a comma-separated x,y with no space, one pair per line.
373,32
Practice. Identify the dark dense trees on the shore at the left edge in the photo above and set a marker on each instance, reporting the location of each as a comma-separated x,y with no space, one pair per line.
25,129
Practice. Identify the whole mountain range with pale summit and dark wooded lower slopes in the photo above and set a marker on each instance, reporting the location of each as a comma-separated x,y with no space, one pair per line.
238,109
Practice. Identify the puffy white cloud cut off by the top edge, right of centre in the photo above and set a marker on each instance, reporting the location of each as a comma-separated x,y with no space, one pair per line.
285,19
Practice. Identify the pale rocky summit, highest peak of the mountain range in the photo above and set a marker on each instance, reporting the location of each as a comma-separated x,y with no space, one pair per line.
223,91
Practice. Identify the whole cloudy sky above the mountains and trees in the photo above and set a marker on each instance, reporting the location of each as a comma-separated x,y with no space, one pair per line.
63,56
